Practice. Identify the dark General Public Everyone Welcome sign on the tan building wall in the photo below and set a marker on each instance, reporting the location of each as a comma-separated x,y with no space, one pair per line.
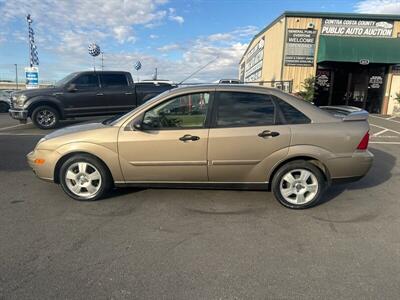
300,47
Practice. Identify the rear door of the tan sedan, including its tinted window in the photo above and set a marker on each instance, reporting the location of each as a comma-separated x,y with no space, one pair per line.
246,139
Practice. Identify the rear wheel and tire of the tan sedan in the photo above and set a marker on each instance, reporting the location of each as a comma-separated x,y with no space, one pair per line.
298,184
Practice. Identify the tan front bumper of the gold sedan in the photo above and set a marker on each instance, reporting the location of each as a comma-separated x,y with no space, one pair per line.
45,170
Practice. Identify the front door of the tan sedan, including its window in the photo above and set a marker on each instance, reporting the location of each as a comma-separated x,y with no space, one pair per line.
171,145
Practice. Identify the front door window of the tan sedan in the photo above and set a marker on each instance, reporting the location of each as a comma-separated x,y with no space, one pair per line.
187,111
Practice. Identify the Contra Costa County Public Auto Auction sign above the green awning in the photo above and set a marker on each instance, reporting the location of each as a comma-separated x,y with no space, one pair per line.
358,28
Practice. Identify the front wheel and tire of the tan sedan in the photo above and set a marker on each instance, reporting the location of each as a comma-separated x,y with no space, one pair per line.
85,178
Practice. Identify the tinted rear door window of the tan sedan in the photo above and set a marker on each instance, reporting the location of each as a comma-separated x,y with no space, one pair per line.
236,109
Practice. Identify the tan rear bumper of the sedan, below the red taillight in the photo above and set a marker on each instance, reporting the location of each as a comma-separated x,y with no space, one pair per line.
350,168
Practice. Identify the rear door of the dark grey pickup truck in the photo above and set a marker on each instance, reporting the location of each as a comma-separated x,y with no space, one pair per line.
117,94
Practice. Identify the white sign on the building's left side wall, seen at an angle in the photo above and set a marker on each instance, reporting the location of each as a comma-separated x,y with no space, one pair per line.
254,61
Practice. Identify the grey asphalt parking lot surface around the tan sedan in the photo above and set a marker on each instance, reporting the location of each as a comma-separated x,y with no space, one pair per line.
198,244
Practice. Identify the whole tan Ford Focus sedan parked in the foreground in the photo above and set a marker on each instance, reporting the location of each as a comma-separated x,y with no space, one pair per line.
211,136
